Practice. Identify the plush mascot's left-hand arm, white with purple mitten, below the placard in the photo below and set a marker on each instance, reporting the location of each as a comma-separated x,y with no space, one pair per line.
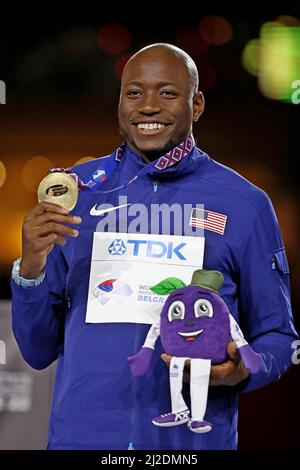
140,362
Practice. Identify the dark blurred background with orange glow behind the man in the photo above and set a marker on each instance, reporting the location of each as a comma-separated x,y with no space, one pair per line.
62,85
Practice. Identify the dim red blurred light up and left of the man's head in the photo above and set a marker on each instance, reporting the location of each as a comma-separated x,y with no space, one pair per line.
114,38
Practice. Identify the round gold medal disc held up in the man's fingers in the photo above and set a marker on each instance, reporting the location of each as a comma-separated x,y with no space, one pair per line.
58,188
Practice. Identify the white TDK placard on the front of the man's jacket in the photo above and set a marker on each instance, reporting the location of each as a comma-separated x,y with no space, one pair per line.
125,265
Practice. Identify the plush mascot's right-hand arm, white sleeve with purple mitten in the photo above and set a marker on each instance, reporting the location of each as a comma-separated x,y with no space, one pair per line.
251,359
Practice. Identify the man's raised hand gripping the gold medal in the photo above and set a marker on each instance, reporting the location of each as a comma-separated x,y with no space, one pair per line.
43,228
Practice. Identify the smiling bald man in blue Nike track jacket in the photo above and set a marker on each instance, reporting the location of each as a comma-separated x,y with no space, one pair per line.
97,404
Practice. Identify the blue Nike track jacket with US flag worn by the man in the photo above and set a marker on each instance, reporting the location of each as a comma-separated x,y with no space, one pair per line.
97,404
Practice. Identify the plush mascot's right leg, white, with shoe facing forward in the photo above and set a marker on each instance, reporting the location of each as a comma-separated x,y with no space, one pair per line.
200,372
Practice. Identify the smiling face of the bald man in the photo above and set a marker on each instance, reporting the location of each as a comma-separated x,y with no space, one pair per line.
157,103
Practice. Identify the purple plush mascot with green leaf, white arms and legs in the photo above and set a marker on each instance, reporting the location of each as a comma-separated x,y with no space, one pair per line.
194,324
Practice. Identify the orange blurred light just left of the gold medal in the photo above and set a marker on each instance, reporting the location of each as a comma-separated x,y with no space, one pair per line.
34,171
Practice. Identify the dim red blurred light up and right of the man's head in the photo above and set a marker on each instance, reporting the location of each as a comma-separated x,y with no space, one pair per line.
216,30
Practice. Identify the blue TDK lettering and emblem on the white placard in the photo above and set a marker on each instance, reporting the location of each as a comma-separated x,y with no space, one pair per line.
151,249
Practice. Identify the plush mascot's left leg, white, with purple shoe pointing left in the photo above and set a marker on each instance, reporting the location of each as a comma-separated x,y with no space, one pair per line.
180,413
